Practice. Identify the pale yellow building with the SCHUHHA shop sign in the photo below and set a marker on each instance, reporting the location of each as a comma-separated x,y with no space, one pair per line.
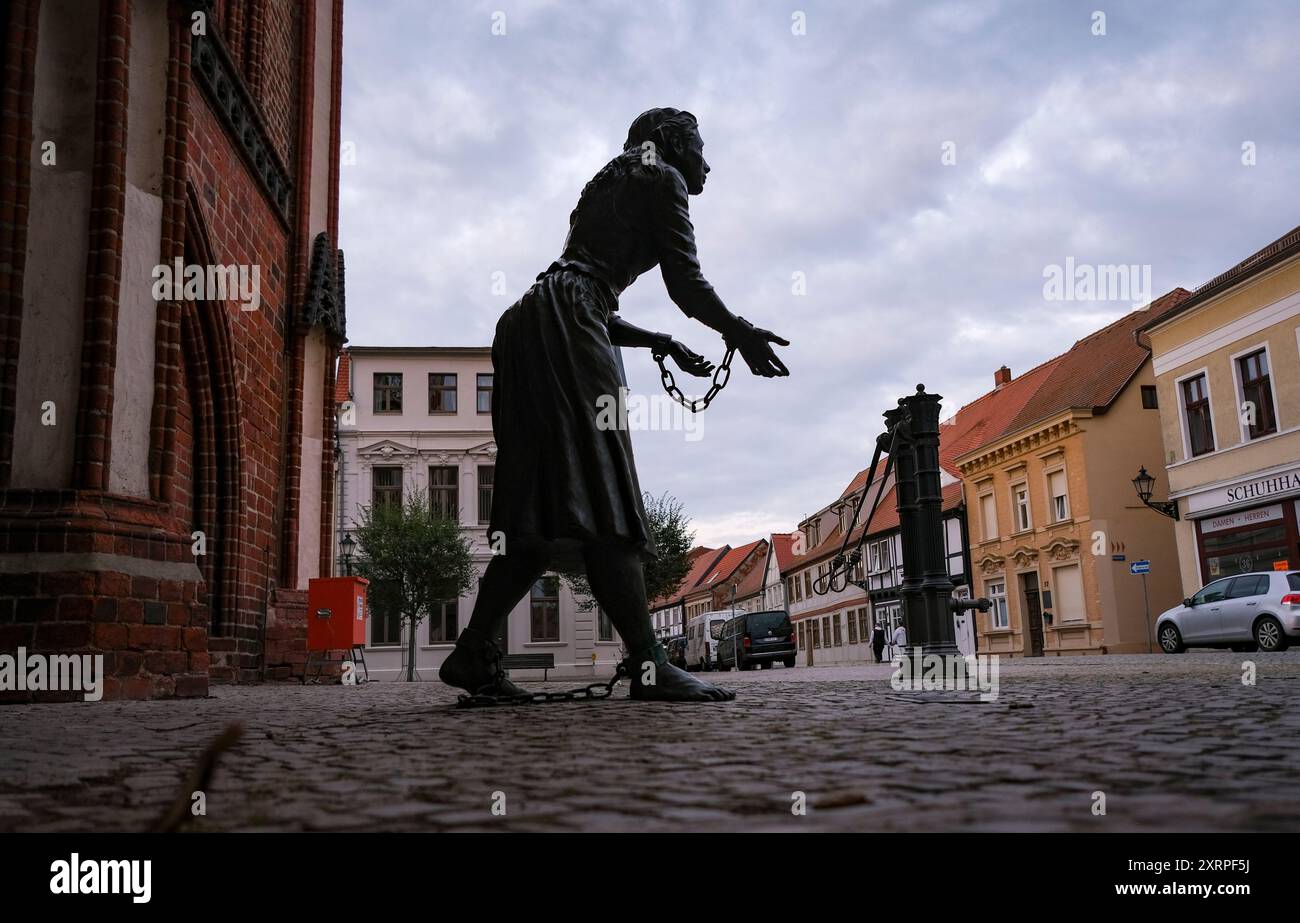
1228,370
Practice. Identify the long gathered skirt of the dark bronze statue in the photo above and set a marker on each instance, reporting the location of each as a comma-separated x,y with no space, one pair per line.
565,476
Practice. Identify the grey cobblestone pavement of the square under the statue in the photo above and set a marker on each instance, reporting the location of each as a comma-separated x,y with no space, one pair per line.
1175,743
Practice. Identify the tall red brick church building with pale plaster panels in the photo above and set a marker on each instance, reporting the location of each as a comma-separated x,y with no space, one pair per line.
166,460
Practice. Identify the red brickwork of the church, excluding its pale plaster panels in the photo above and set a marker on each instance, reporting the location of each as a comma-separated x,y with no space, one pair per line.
72,577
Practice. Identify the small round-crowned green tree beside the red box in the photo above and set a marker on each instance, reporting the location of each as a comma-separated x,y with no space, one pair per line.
415,560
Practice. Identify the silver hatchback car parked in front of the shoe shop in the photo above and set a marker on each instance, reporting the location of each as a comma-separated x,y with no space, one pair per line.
1249,612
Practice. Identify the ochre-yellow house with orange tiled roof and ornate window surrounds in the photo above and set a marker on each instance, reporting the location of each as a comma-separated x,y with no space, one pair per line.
1054,517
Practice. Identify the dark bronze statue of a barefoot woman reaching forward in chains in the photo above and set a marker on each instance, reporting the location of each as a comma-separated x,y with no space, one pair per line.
566,491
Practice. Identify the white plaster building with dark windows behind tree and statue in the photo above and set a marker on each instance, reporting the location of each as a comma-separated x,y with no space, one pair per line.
419,419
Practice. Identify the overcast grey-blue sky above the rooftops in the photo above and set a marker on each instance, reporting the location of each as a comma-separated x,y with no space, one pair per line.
827,157
